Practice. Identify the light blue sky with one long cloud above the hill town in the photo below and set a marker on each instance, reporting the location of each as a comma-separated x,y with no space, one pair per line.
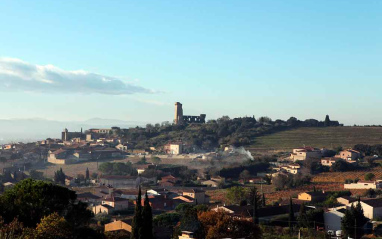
132,60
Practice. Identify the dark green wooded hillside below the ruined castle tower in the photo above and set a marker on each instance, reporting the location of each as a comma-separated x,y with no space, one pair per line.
223,131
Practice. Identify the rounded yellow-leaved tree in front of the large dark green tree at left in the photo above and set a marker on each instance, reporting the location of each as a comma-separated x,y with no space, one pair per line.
53,227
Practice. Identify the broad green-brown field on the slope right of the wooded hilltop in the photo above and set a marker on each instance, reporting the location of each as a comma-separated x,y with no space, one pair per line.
328,137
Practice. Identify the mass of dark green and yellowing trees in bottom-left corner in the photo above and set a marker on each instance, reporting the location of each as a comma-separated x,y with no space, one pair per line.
39,209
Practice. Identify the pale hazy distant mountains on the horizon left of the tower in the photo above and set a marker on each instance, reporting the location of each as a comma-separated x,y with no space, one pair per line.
29,130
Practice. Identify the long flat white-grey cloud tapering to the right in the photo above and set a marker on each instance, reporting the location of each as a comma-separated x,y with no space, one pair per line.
18,75
